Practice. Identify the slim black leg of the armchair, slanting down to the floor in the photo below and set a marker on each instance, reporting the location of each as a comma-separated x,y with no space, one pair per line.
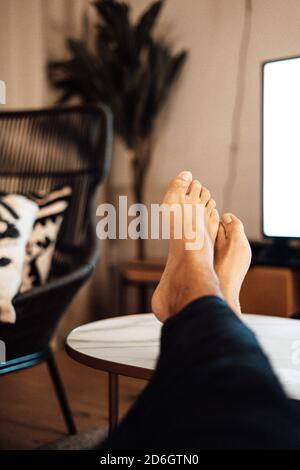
61,394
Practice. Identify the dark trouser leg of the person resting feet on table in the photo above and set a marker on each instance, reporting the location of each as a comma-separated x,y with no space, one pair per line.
213,388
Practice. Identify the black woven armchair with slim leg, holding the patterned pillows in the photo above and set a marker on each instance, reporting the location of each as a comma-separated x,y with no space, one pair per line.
48,149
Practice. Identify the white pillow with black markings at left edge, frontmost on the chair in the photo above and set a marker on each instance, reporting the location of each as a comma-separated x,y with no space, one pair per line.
17,216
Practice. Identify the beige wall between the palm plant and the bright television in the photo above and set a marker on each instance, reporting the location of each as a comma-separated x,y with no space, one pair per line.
197,133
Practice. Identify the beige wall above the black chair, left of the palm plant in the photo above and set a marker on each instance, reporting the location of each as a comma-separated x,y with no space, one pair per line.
31,31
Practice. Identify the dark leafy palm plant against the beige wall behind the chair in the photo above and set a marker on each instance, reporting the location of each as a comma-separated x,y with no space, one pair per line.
128,70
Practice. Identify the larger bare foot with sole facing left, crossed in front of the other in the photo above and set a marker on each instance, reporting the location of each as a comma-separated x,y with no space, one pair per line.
189,274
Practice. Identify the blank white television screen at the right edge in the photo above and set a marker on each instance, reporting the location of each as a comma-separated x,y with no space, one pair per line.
281,148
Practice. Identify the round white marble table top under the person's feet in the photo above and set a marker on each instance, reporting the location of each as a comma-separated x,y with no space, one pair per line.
129,345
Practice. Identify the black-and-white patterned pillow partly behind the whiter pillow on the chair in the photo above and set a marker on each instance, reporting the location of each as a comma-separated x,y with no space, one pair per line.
42,242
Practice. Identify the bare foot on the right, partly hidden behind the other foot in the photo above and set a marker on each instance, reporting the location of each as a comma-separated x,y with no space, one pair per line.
232,258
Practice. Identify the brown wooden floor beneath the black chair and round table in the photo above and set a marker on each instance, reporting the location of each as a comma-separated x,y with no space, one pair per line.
29,412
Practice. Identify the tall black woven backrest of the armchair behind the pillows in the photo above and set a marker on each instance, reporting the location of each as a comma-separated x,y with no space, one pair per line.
48,149
